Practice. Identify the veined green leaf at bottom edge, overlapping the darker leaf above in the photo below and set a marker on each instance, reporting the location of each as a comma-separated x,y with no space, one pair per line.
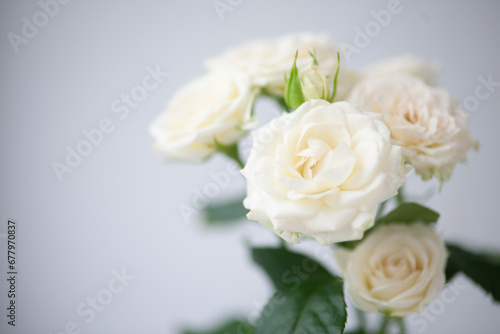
314,307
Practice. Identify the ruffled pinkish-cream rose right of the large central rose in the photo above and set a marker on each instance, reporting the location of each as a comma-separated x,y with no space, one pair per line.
424,120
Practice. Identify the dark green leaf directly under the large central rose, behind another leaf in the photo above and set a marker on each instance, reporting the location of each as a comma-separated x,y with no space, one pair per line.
288,269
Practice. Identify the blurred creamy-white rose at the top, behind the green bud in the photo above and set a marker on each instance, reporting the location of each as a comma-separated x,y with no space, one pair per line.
268,61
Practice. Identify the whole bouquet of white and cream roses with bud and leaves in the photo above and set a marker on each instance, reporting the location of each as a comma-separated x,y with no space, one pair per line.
325,169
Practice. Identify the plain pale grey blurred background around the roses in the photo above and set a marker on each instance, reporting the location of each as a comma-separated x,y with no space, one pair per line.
104,248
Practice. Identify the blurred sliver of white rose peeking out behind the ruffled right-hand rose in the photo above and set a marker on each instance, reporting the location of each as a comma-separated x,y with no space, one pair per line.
405,65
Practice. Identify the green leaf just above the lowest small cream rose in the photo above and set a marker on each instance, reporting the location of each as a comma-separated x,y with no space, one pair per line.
410,213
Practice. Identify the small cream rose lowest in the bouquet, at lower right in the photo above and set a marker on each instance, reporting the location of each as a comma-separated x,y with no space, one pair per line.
398,269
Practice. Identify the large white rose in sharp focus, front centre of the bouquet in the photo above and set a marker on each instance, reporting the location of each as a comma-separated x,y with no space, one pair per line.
320,171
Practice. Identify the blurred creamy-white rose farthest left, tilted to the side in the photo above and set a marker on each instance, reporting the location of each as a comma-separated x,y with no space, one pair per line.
216,106
